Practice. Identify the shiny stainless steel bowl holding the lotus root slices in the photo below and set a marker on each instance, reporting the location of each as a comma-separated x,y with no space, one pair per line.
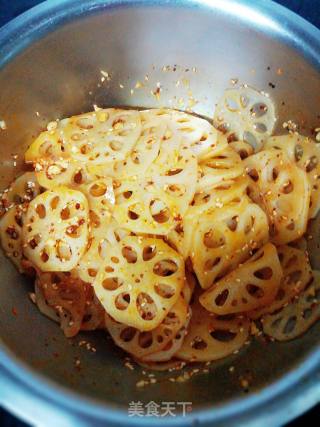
50,60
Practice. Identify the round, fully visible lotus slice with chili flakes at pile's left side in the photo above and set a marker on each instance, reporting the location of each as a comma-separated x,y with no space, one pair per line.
55,231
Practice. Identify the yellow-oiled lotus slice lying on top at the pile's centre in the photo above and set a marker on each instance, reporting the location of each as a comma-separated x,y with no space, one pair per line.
156,204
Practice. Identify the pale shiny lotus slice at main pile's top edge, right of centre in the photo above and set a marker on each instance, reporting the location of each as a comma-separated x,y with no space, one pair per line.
191,131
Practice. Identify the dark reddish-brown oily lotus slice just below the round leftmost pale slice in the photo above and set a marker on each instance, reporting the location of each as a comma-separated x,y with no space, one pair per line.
67,296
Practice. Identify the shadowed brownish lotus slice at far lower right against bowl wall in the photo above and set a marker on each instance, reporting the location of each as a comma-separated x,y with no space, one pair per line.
297,317
